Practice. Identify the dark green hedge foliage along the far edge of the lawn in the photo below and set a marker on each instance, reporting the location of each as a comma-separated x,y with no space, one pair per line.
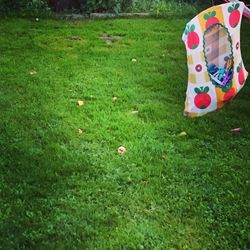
88,6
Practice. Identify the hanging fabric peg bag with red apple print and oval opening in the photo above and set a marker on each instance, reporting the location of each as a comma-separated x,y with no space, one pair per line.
216,72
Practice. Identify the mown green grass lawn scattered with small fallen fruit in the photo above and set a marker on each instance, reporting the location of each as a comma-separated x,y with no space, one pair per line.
61,189
